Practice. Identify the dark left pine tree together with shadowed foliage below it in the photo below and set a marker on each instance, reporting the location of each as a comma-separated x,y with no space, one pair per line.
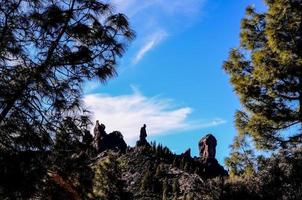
47,50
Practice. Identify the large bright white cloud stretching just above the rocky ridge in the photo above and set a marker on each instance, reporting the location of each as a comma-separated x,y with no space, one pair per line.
127,113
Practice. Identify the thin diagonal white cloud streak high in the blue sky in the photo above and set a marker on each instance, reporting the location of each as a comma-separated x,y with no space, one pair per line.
154,40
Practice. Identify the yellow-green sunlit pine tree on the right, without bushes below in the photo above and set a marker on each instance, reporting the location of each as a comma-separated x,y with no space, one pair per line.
266,74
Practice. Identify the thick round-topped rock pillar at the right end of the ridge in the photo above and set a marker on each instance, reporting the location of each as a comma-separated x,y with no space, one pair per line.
207,146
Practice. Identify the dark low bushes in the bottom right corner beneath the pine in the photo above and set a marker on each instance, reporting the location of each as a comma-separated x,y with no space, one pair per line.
277,177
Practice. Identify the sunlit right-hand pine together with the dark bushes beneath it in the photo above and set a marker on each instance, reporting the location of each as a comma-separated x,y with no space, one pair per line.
266,74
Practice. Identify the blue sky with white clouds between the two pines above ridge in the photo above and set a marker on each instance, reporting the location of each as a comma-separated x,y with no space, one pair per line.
171,76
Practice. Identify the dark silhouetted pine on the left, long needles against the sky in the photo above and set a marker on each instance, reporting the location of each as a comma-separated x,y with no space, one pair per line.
47,50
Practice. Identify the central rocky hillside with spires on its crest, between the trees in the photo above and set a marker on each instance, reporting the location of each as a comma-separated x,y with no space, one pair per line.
146,171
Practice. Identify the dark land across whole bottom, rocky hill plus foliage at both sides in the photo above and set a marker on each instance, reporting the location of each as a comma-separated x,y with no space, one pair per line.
104,167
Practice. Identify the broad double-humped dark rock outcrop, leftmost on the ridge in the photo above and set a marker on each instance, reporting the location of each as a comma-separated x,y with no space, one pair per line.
103,141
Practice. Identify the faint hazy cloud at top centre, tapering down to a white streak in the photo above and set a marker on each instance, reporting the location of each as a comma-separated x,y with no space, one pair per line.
155,19
